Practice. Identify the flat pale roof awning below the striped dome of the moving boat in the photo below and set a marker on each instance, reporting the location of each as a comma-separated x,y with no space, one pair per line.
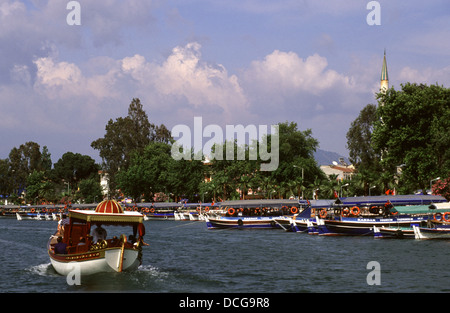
115,218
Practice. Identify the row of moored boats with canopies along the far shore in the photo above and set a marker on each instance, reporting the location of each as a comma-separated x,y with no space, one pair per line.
399,216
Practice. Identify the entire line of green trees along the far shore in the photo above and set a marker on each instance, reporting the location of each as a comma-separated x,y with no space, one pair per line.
401,144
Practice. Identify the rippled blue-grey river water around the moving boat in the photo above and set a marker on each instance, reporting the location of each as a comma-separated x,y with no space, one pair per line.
186,257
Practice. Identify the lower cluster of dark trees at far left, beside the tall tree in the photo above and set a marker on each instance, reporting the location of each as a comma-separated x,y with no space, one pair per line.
28,176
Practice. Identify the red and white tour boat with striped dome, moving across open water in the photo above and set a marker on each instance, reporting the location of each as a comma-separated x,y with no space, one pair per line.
105,255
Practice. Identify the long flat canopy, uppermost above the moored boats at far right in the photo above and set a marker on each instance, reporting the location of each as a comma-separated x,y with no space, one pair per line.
394,200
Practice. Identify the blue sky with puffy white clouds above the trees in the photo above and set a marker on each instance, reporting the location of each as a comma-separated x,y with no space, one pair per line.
252,62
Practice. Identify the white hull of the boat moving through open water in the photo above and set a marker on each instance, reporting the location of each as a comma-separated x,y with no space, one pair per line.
92,262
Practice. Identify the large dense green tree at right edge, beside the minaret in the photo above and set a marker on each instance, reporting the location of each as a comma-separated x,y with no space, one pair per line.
412,131
